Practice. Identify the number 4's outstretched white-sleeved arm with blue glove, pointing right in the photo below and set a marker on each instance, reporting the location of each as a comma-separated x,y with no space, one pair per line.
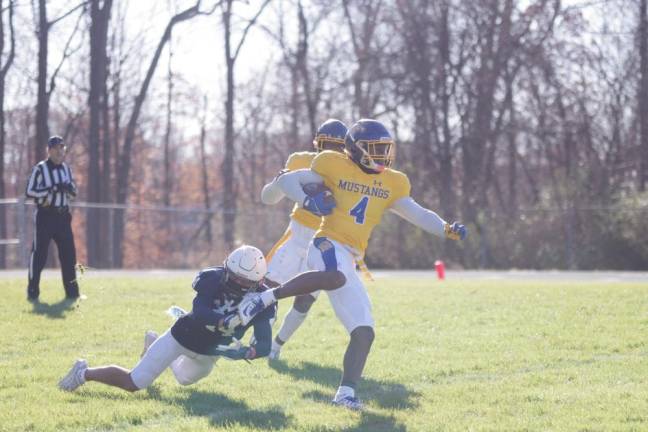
426,219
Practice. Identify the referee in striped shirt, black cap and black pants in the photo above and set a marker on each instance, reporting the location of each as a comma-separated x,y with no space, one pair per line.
51,186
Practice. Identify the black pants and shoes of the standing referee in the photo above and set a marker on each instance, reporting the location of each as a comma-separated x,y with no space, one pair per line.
52,223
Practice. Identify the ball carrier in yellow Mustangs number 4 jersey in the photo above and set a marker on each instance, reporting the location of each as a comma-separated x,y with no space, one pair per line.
364,187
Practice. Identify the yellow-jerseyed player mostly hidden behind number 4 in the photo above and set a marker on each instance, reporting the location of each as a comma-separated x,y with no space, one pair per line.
288,256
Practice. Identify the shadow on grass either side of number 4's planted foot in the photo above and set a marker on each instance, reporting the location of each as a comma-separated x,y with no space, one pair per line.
385,394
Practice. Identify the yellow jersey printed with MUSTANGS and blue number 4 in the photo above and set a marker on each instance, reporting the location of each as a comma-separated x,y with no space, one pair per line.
361,198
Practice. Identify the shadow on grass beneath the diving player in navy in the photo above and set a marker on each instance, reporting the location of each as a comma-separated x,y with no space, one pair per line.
224,411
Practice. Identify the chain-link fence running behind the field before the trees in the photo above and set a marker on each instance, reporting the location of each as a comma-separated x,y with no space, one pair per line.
158,237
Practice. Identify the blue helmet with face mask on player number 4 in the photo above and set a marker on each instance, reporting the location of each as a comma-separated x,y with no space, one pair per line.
369,144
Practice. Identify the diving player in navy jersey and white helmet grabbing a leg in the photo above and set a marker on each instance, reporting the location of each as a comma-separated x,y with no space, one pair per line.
199,337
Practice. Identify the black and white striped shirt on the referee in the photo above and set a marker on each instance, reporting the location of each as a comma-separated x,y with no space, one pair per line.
46,184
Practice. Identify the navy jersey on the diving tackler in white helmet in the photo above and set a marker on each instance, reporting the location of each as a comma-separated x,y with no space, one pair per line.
215,298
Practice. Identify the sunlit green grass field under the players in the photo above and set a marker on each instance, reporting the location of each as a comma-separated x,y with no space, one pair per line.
458,355
